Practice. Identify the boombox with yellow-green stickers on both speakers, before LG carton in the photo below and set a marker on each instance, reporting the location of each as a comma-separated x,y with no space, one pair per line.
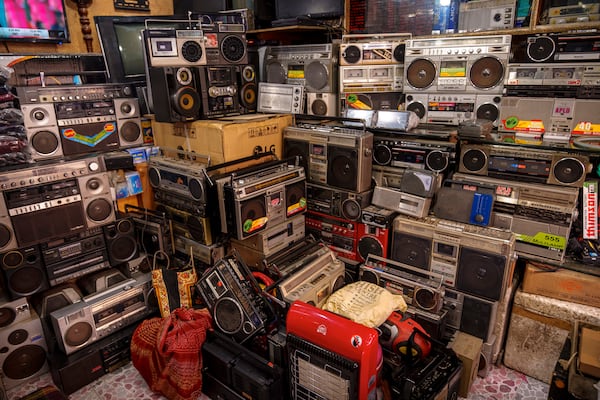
259,197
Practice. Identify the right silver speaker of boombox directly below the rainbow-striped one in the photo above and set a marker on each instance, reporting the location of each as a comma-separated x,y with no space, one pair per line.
97,199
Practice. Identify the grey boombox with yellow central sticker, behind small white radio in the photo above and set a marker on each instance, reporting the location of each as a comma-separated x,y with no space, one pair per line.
313,66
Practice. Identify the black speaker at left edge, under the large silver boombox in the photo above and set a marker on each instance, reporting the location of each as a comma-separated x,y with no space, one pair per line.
24,272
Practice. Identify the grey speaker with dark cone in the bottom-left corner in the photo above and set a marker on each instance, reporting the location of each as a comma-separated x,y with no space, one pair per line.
24,353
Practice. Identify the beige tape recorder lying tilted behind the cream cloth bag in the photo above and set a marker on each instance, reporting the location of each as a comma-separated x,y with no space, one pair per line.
312,278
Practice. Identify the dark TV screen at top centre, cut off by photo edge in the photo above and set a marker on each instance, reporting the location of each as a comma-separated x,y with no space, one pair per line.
309,8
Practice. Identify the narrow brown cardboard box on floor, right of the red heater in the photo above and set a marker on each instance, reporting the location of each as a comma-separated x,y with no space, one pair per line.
468,349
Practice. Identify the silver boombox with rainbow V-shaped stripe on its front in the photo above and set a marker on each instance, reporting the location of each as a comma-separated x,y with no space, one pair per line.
65,121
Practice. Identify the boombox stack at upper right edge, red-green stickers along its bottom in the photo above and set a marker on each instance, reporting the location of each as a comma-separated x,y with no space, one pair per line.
552,89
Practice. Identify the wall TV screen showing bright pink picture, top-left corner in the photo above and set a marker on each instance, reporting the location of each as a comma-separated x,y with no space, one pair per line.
33,21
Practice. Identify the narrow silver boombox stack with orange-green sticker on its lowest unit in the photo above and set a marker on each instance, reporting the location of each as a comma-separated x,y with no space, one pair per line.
371,71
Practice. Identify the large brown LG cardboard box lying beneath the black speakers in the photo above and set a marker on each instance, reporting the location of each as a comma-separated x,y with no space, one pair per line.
225,139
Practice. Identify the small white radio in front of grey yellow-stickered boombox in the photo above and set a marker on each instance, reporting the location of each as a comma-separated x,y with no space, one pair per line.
280,98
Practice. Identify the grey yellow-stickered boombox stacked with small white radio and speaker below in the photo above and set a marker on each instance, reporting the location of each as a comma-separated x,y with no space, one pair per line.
300,79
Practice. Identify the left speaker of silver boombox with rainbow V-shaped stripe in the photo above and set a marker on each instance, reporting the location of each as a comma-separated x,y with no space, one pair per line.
42,131
